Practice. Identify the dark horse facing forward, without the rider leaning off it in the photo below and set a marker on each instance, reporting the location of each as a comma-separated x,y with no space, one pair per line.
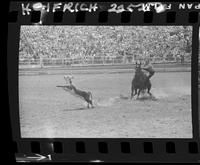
140,82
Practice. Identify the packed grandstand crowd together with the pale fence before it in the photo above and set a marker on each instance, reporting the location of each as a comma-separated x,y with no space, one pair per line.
105,44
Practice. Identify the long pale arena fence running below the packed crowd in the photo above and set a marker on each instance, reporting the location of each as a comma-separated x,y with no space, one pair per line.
99,60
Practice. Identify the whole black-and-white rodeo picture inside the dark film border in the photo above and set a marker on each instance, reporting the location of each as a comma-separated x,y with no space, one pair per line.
105,81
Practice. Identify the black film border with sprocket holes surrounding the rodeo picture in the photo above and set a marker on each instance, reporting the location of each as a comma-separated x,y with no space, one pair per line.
186,150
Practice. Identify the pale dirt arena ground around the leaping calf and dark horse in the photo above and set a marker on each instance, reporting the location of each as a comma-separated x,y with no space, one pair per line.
50,112
